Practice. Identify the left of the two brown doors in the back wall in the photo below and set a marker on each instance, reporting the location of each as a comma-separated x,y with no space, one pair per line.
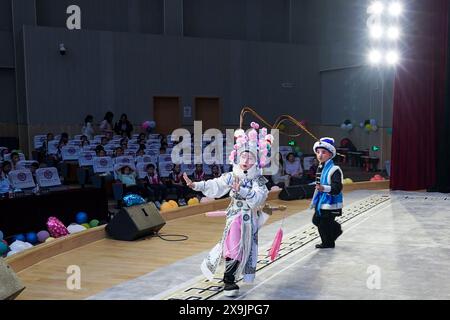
167,114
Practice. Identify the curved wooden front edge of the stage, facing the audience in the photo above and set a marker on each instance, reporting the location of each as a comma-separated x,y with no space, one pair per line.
27,258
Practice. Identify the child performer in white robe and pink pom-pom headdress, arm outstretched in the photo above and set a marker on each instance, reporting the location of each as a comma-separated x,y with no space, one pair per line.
248,192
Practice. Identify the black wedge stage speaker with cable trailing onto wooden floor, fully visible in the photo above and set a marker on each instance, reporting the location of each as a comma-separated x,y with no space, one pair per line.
135,222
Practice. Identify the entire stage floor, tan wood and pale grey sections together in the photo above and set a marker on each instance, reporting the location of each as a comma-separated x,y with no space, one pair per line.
395,245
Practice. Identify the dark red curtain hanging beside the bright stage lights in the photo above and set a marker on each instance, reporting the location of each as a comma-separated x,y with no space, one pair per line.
419,95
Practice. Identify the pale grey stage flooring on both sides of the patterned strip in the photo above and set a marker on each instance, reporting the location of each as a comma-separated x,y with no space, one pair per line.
399,250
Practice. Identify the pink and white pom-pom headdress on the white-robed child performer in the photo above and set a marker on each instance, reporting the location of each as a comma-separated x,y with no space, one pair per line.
256,141
